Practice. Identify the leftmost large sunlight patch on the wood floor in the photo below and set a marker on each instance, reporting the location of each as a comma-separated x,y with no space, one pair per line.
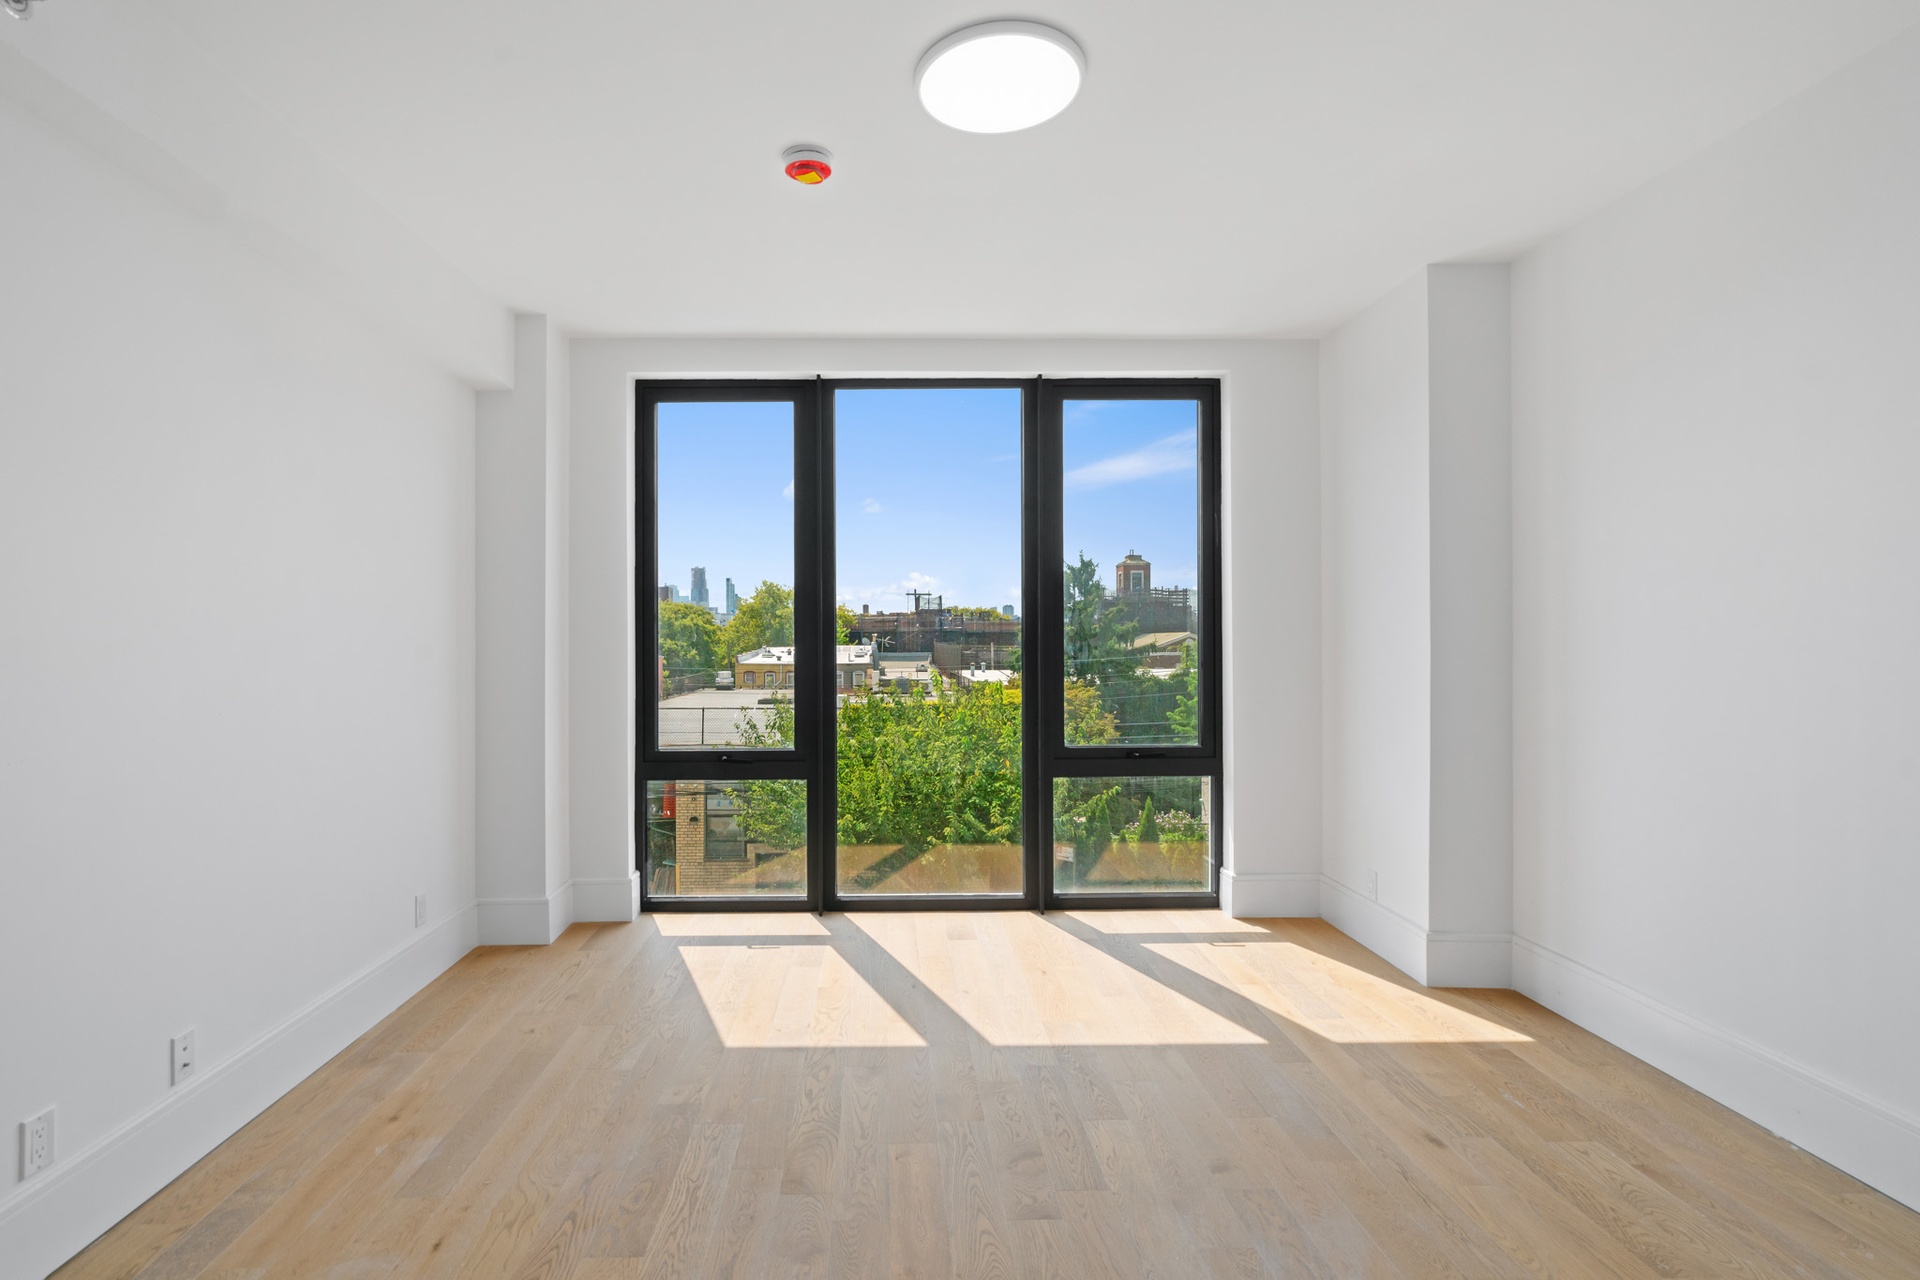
765,997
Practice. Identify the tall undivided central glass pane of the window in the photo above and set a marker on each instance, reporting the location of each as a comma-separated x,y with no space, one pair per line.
928,684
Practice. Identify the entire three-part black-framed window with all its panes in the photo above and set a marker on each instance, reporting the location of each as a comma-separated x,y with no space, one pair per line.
967,650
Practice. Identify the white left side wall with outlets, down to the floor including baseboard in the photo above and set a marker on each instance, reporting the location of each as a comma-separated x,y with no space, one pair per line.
235,682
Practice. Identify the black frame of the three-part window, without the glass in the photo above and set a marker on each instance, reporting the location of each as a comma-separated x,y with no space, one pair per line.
813,757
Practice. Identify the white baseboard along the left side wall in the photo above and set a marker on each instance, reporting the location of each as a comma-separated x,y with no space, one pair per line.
57,1216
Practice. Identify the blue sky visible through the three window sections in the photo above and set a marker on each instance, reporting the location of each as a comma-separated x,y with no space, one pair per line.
928,492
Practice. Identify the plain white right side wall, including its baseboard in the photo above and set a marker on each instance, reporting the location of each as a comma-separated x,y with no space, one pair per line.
1717,621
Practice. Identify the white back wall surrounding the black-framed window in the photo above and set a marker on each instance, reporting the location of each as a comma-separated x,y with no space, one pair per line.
1272,565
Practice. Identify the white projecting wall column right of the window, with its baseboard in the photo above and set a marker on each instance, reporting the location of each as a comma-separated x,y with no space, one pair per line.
1416,619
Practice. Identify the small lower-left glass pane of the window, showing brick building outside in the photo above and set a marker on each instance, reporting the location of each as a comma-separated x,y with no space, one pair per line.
727,840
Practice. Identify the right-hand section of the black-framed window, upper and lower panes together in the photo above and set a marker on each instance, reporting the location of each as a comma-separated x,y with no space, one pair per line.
1134,684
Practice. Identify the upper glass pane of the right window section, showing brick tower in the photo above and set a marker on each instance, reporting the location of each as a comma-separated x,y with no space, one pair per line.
1132,538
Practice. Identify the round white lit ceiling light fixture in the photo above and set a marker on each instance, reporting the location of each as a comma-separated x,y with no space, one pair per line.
999,78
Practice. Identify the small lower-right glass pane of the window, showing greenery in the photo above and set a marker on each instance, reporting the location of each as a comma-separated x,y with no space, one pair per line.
1116,836
